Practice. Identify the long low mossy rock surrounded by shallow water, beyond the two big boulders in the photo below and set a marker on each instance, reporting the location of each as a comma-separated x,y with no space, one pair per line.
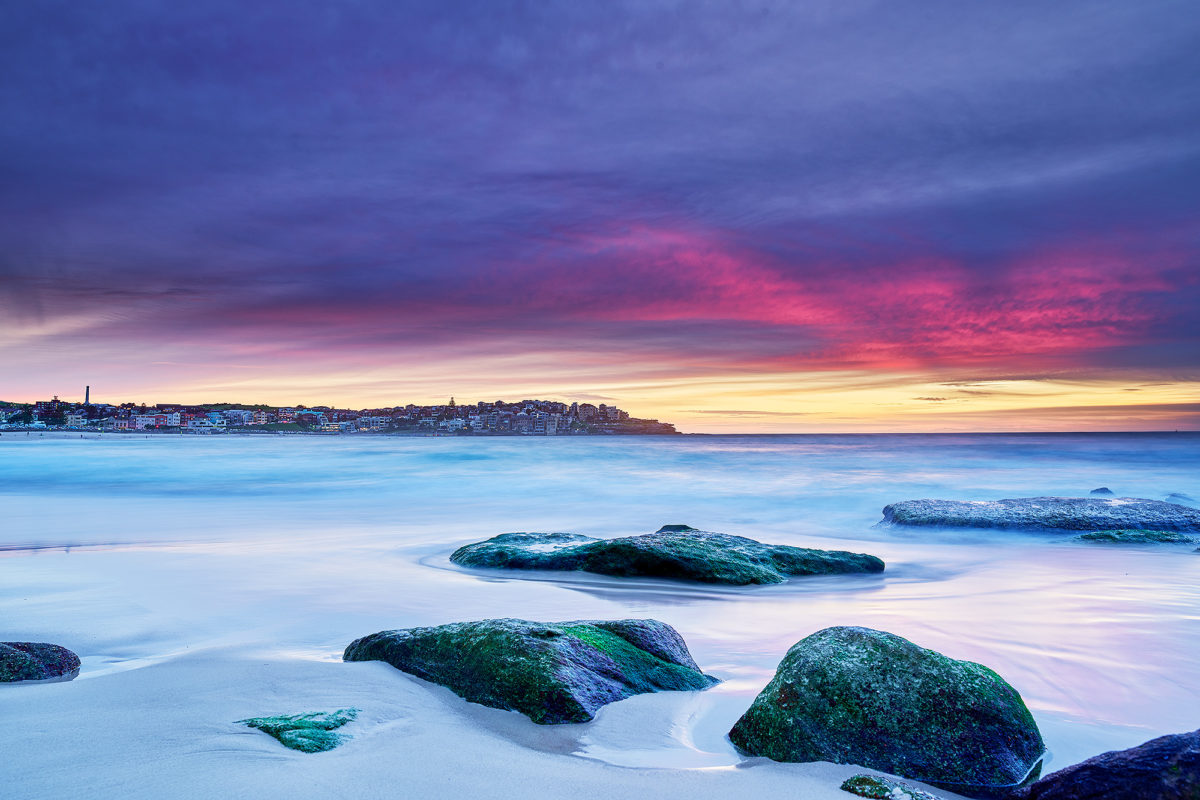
671,552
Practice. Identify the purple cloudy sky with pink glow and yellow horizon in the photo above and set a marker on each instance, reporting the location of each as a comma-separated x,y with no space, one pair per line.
733,216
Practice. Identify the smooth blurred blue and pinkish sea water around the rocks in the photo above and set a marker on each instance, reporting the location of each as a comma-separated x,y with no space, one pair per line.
135,550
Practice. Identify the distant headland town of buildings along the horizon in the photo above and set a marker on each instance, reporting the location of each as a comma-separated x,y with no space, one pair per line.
530,418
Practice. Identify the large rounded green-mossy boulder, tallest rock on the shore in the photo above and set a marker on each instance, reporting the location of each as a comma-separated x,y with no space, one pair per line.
859,696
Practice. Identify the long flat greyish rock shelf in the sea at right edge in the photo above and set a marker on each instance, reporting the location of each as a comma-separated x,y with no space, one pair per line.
1046,514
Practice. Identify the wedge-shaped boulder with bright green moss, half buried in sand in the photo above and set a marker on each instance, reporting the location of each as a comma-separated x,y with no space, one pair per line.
551,672
